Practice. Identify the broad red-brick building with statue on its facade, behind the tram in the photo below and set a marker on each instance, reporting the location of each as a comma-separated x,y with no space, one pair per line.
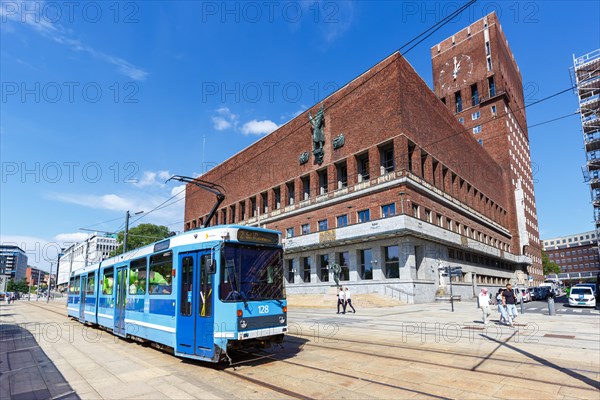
383,180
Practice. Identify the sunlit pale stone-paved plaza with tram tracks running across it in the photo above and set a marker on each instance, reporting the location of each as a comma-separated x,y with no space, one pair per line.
416,351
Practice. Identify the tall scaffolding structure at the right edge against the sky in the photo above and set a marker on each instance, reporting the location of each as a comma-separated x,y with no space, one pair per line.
586,76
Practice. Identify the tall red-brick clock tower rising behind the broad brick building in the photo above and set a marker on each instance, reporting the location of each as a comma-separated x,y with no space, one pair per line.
477,78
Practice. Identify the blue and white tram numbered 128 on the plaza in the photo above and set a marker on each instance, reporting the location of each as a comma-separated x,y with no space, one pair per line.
202,293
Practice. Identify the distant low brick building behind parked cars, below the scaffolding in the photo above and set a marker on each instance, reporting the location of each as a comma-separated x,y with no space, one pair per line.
574,253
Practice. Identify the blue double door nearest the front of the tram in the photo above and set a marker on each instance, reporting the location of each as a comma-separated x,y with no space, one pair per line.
195,325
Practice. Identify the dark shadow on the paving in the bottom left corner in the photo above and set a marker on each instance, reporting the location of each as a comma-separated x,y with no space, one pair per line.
26,372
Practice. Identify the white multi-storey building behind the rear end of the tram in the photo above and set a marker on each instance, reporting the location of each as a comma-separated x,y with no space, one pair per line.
79,255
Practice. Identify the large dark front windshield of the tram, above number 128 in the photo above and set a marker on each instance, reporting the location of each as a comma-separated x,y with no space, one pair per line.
251,273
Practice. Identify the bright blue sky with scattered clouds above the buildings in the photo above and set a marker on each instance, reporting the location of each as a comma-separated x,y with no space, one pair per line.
102,101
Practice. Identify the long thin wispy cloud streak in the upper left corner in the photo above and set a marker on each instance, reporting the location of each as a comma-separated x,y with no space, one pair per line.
54,31
